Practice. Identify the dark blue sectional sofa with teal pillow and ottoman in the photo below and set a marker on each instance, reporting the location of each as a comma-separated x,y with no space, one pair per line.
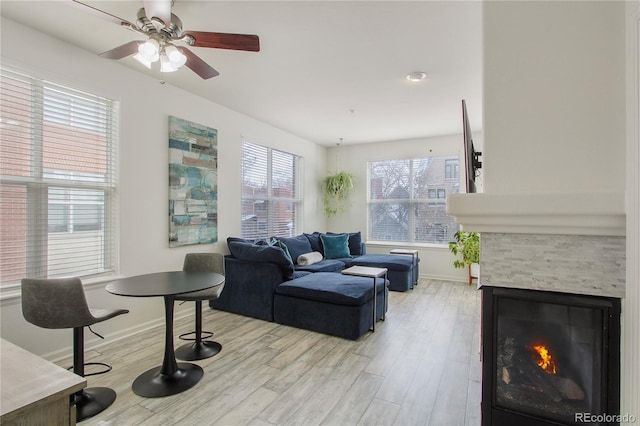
264,280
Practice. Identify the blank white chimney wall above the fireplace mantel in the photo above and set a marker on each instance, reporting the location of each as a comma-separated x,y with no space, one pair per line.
554,96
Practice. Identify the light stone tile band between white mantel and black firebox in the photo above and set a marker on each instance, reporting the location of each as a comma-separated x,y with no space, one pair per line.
576,264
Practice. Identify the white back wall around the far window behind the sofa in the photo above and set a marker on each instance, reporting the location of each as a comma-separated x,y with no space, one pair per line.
436,261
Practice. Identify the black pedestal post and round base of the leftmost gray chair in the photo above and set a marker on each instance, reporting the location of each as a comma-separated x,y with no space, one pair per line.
89,401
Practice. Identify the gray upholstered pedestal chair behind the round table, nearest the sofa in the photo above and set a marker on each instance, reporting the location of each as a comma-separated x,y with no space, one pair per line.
200,348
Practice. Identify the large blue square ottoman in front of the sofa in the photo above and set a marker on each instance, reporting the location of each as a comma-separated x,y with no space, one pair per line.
330,303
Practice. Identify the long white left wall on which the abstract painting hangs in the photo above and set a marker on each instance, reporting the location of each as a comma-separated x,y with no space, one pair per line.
143,204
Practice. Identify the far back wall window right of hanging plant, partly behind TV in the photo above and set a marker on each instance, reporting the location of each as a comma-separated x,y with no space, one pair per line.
407,200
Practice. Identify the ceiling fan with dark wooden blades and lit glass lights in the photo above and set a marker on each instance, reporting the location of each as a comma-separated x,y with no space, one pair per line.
163,30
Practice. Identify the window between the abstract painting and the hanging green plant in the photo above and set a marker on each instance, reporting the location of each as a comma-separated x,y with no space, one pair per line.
271,192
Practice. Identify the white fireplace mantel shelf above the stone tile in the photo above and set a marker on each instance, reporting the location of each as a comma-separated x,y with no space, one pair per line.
550,213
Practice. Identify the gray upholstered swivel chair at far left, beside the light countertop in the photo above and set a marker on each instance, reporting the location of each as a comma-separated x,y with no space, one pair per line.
61,303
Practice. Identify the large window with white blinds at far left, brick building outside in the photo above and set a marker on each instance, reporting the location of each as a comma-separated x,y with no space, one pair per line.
57,180
